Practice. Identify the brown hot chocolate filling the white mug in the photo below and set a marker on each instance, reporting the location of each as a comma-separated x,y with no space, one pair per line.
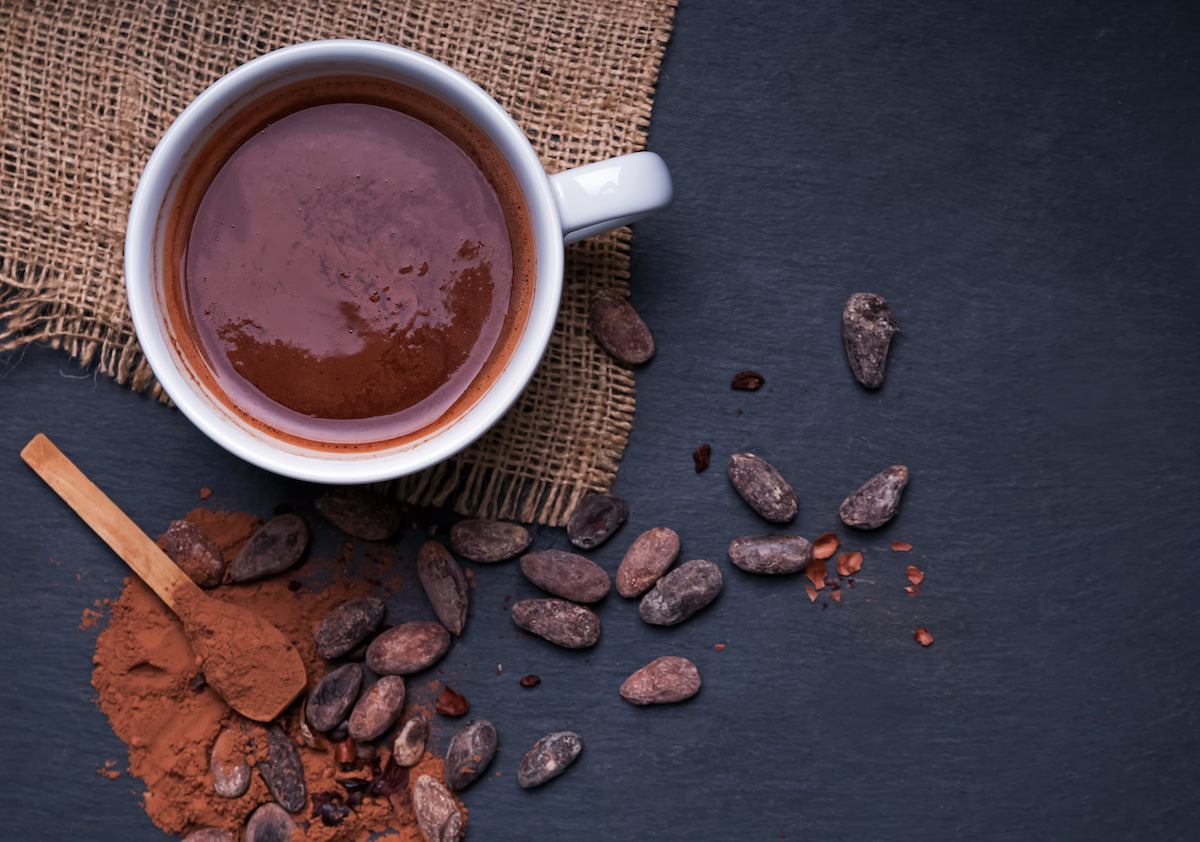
355,263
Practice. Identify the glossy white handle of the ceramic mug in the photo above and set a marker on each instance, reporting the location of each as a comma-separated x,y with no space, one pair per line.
607,195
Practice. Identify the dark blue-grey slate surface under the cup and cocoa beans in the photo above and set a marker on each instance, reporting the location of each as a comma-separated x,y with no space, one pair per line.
1021,182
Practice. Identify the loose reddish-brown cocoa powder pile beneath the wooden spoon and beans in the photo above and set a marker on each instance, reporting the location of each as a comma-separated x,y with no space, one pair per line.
160,706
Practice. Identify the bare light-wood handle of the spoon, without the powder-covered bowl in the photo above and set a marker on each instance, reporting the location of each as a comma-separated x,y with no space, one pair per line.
107,520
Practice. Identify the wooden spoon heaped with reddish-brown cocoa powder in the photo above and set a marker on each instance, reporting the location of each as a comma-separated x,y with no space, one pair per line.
245,659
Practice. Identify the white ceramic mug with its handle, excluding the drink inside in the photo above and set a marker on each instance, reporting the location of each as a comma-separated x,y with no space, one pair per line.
563,208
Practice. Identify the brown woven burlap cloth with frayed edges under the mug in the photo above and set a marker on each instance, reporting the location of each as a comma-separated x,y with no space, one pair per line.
87,89
